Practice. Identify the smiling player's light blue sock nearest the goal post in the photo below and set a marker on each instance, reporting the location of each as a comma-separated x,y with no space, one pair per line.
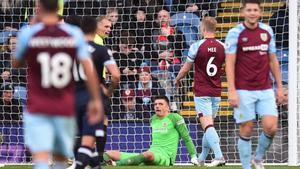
264,143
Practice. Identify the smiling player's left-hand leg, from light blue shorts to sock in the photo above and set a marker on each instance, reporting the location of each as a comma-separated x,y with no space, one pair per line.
244,115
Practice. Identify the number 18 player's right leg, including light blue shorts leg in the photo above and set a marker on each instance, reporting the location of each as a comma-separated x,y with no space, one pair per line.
65,130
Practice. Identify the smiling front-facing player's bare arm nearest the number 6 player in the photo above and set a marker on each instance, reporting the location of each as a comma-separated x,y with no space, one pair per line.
230,72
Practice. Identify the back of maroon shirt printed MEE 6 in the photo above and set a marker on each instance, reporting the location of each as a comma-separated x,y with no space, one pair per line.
208,64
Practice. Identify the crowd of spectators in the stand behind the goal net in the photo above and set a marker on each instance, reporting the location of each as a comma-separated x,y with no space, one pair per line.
147,48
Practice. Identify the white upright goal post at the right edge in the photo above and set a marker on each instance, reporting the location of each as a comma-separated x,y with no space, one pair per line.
294,84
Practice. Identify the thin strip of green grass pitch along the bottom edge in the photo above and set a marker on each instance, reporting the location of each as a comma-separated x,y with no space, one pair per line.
156,167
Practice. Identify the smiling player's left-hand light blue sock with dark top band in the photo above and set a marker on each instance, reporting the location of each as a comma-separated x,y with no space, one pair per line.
244,147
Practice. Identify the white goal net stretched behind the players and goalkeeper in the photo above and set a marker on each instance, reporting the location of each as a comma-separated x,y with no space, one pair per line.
138,48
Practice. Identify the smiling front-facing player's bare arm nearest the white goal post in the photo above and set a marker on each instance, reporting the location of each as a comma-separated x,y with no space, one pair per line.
274,66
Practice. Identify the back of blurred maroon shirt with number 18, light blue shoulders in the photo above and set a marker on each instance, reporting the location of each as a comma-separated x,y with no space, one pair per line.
50,53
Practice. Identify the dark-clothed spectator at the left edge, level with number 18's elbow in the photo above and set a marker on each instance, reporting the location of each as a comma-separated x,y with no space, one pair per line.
10,108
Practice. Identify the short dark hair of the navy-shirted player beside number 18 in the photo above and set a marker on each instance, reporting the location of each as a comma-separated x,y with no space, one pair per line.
88,25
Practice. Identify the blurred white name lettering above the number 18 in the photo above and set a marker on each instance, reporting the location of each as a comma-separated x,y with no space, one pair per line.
52,42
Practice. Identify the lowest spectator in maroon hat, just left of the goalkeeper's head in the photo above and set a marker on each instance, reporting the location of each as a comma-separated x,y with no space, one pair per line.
128,109
